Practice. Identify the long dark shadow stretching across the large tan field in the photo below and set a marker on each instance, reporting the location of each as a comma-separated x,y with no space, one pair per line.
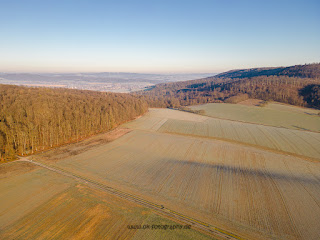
250,172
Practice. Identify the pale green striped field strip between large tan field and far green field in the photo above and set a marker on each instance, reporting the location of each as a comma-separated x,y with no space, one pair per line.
295,142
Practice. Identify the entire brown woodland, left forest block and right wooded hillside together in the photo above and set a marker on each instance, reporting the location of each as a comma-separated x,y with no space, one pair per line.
36,119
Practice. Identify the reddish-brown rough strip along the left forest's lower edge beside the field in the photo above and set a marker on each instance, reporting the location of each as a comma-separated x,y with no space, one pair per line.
80,147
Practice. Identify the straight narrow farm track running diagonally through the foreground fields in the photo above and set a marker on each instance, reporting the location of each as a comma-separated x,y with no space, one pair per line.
160,209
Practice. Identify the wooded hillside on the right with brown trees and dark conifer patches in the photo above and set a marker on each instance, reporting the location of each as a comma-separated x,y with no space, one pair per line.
295,90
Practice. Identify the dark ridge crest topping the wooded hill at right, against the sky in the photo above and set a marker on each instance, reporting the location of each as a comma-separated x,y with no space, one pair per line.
303,71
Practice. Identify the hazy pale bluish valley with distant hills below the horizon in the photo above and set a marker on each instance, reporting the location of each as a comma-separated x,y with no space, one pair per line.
105,81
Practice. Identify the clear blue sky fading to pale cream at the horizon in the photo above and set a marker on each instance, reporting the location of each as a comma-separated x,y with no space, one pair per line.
157,36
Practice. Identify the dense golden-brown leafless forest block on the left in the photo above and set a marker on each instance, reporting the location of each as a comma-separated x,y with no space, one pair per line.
35,119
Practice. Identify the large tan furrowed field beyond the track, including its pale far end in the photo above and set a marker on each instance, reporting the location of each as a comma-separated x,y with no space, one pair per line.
243,189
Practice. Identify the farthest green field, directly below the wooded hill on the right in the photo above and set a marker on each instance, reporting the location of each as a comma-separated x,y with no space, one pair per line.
273,114
